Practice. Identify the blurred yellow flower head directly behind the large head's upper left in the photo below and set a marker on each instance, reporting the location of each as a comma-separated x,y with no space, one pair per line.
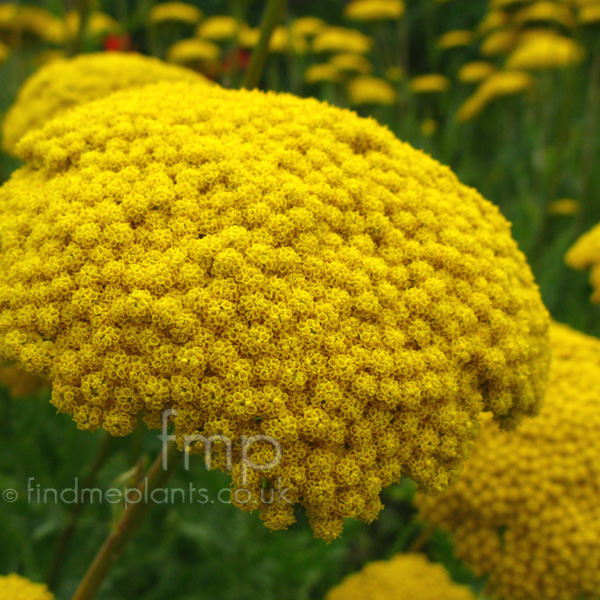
62,84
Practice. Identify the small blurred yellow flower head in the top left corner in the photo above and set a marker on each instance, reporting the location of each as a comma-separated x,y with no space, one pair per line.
32,20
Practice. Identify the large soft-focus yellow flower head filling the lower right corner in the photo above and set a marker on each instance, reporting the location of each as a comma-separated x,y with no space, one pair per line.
525,511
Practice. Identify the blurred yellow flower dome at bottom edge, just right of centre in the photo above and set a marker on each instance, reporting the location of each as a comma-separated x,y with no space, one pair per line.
403,577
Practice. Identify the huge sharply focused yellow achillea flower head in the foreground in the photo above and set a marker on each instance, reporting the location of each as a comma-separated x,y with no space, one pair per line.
270,265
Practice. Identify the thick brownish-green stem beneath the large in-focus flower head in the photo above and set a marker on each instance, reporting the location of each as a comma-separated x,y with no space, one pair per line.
122,534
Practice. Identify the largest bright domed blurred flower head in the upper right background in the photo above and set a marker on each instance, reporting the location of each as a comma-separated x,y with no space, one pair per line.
543,52
